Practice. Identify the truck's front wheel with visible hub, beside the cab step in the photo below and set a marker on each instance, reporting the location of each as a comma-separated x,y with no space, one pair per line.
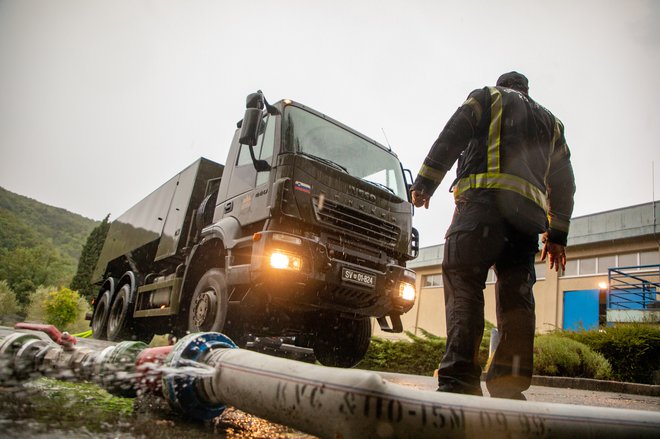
208,306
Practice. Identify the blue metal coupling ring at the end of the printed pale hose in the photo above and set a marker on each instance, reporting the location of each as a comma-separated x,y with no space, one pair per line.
185,392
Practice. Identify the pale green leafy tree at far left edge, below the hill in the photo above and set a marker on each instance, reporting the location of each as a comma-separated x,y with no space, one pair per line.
25,269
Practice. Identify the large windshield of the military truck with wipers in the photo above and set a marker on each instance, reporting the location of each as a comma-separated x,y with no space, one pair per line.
308,134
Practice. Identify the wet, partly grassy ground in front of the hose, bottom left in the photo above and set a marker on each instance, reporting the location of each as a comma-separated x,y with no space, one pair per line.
49,408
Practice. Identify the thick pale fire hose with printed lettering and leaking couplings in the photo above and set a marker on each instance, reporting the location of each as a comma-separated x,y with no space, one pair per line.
204,372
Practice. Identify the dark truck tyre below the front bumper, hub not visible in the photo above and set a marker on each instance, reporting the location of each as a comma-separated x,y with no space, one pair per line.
343,343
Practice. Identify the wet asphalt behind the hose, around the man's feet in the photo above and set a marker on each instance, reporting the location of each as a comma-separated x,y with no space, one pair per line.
564,391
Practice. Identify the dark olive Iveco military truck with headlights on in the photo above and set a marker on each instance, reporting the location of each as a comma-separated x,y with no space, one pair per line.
303,233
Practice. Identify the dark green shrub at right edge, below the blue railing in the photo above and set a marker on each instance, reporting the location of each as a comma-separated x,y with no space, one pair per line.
633,349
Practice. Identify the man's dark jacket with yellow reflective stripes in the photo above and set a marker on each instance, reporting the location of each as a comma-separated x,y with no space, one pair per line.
511,151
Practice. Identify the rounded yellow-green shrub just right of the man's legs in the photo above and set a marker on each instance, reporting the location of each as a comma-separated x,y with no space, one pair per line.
560,356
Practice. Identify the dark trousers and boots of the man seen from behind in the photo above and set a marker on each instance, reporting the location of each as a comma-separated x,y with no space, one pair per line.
480,238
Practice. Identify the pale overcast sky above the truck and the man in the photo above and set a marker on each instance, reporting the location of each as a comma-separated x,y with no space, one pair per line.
103,101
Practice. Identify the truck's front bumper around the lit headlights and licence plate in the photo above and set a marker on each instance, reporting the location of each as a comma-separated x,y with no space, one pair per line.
322,279
